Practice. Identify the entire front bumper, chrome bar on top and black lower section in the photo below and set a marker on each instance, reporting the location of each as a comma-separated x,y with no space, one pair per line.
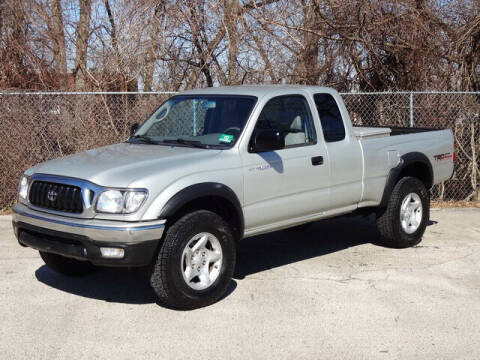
82,238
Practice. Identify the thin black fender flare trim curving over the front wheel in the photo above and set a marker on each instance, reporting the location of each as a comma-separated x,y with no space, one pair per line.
197,191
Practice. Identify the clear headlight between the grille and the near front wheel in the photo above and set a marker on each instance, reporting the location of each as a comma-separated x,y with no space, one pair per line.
120,201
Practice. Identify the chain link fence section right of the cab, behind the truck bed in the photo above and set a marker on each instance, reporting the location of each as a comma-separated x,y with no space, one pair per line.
458,111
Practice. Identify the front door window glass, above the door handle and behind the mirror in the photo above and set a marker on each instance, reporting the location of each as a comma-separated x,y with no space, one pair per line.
289,115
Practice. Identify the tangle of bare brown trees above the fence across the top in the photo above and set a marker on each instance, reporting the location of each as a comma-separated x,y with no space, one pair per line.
167,44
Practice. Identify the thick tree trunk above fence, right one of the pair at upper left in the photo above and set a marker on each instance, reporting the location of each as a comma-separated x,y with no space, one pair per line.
81,45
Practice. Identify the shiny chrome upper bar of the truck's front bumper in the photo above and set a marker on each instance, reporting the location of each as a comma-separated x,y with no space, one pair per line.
94,229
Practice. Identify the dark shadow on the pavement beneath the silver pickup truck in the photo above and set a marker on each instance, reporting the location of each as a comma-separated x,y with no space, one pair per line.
254,255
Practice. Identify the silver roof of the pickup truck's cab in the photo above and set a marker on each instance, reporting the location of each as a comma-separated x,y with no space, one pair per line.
256,90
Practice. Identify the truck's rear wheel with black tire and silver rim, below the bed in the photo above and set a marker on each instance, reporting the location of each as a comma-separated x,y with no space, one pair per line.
398,228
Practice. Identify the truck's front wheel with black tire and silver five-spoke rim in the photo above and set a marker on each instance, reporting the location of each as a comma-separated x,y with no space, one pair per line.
210,276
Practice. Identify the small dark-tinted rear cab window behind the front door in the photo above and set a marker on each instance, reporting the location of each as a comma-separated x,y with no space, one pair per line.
330,117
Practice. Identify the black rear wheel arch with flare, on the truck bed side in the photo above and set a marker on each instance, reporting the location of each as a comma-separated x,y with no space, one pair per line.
413,164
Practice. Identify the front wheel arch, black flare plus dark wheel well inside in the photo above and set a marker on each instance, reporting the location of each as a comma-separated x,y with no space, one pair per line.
212,196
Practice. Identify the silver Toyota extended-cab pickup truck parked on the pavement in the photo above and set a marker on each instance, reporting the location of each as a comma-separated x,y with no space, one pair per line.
212,166
